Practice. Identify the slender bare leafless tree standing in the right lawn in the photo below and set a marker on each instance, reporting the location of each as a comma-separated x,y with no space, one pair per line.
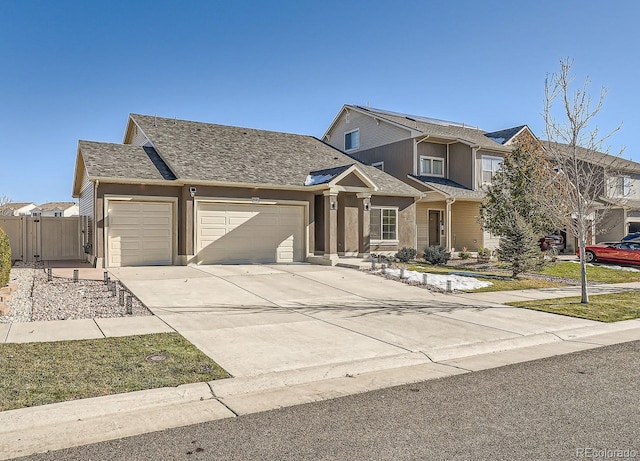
579,168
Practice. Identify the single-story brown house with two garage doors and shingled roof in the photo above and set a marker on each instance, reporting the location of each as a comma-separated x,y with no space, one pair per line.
179,192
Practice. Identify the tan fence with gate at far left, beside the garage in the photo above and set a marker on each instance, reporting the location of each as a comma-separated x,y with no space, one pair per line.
45,238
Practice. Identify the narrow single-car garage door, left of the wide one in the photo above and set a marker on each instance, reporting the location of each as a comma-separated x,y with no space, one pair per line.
140,234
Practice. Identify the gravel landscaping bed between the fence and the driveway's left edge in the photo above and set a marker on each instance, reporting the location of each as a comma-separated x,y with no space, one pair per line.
61,299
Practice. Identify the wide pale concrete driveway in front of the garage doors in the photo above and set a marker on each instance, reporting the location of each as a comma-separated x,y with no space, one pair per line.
257,319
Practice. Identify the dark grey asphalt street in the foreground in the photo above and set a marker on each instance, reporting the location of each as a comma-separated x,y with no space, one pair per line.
576,406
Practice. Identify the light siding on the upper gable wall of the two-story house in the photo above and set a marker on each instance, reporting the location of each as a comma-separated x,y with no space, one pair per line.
371,133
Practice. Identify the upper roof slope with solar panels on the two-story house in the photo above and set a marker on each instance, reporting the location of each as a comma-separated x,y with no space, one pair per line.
438,128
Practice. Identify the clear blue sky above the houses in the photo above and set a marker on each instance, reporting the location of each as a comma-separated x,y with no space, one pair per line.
74,70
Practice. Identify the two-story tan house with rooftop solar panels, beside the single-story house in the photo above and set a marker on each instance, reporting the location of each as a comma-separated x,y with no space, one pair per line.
449,162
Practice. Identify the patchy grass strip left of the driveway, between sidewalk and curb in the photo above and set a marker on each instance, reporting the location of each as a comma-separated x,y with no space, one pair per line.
42,373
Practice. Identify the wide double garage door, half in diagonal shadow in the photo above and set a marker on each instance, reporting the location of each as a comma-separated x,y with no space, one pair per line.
231,233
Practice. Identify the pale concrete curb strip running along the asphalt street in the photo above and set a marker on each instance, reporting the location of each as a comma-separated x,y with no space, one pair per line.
63,425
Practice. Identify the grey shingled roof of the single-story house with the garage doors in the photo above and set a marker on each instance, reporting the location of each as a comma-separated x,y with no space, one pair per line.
205,152
